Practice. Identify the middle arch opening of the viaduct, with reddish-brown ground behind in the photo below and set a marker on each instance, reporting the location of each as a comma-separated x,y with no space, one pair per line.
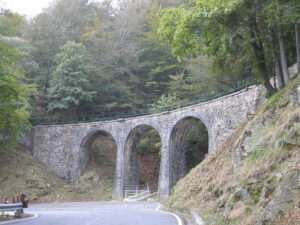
142,157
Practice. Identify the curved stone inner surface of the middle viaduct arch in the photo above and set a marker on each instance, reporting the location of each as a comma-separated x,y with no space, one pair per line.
131,168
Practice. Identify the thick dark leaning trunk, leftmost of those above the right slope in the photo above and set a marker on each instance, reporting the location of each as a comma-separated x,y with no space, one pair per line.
259,55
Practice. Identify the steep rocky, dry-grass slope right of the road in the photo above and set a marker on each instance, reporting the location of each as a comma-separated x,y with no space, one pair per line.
254,177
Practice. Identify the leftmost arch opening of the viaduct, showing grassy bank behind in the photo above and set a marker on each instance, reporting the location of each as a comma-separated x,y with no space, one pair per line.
97,161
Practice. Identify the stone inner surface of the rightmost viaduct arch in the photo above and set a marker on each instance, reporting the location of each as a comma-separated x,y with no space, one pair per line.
177,146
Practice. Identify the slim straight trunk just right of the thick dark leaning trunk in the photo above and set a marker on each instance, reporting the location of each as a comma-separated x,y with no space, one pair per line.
277,66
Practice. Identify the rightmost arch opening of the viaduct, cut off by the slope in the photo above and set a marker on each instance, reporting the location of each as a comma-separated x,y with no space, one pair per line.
188,146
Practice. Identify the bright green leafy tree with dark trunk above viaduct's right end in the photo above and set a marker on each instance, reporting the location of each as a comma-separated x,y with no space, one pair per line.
218,29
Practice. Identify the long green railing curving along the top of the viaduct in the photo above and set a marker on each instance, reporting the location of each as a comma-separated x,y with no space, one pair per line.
114,116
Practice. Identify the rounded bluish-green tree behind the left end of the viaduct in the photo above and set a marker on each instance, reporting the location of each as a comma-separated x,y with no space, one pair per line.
70,85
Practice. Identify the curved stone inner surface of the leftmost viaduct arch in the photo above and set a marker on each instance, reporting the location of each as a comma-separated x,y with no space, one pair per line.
85,145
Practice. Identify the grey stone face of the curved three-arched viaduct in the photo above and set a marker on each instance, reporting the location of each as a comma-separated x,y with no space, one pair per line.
61,147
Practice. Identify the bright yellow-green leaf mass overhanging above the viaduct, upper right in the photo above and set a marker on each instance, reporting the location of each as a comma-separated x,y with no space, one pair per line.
198,29
